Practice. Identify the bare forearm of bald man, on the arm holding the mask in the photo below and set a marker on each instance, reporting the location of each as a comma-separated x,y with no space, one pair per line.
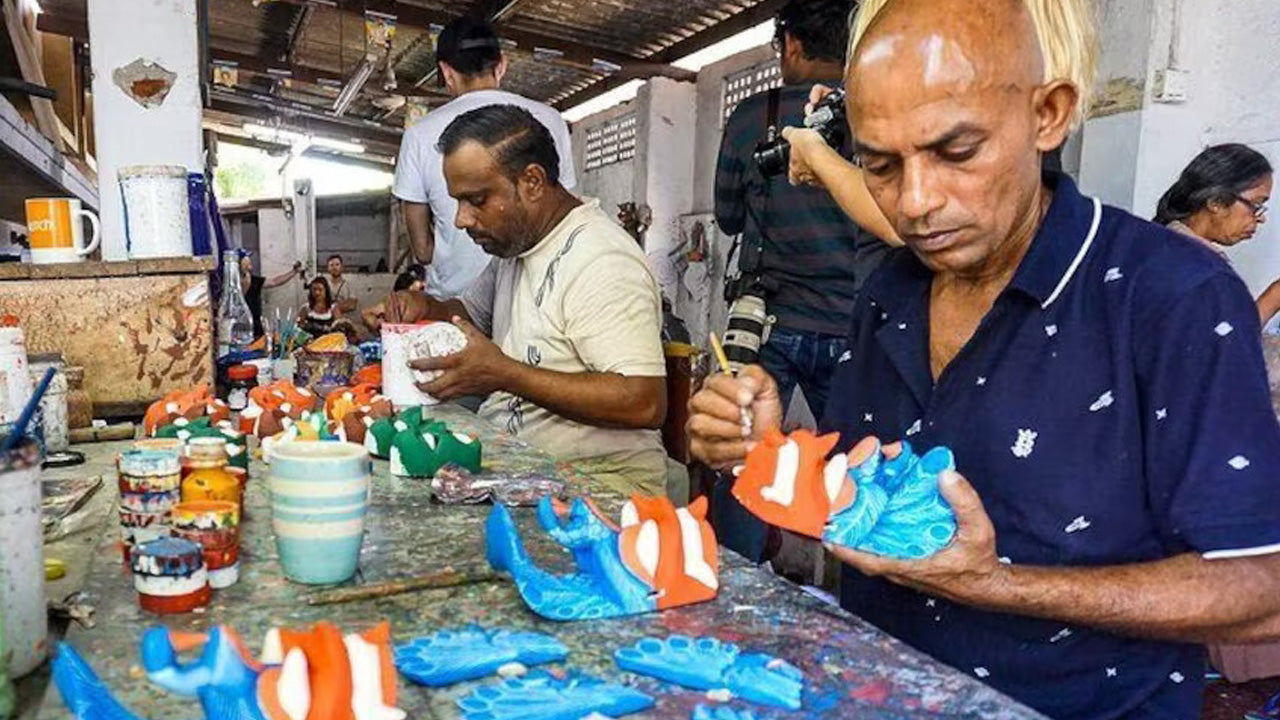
1182,599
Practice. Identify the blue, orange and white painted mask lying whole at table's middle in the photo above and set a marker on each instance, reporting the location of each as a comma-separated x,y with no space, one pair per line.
657,558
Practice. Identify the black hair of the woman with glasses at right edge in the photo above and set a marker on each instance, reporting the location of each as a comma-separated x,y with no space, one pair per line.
1218,175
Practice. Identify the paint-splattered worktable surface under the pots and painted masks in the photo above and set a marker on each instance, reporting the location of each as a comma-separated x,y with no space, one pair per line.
852,669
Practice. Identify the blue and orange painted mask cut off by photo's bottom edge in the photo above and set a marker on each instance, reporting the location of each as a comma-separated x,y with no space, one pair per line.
319,675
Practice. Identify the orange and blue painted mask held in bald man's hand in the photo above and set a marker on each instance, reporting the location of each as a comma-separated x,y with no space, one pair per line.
876,499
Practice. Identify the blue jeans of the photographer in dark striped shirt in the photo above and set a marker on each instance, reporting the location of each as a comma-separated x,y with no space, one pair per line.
793,358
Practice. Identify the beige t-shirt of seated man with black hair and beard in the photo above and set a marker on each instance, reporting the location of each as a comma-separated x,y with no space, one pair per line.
580,302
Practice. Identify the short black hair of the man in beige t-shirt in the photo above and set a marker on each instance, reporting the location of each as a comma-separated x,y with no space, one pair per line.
513,134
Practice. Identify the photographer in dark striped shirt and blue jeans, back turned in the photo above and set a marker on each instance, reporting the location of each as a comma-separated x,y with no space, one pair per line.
802,259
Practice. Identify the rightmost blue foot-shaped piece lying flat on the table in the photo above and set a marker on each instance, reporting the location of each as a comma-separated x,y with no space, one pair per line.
707,664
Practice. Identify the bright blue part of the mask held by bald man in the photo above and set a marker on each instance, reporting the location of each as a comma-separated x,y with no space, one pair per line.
898,511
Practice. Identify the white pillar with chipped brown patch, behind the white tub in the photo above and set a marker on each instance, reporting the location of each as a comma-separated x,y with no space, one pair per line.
163,33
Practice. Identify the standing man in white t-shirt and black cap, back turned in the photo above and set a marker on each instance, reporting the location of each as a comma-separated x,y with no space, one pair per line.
472,66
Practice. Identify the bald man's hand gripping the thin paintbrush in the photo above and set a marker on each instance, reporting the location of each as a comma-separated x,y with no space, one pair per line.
732,414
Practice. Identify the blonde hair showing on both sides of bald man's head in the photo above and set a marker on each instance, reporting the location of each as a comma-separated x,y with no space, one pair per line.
1068,37
